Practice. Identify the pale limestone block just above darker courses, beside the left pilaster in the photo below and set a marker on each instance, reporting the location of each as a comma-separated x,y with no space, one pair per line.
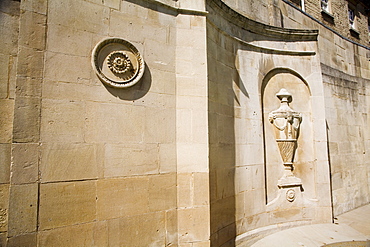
71,161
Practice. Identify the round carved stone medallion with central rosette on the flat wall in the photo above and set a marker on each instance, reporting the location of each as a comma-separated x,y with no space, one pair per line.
117,63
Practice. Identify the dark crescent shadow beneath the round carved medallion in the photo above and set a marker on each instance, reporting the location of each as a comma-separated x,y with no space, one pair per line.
135,92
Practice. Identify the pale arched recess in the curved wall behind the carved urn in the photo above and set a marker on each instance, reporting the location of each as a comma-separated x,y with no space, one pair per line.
304,165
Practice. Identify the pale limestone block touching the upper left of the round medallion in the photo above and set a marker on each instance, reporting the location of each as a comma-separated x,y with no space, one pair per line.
68,40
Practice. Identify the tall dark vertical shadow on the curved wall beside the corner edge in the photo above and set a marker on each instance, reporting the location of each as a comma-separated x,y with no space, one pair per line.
224,93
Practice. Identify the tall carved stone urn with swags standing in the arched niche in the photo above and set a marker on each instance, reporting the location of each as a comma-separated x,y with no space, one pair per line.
286,122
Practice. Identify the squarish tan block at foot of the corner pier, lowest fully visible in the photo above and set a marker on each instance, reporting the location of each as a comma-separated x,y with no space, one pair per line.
193,224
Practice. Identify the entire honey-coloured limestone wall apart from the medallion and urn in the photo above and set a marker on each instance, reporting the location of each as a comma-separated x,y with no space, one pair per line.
186,157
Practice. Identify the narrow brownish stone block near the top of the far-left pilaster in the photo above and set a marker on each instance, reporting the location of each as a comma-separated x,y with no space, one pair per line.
32,30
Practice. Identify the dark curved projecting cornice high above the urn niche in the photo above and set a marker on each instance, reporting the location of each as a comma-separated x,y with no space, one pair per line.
247,24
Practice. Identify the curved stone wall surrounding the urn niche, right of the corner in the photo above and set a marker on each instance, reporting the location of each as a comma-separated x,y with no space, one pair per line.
245,164
